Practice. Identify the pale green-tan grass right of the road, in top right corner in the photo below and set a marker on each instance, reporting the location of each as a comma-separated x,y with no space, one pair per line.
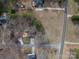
72,7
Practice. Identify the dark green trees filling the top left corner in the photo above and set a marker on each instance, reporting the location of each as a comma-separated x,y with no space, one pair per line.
6,6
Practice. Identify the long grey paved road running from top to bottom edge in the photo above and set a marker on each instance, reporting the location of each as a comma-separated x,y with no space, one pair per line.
64,31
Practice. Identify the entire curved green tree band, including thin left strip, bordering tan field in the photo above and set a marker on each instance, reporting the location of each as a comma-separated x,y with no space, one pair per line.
31,18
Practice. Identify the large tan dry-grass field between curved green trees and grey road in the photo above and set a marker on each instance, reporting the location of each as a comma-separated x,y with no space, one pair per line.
53,23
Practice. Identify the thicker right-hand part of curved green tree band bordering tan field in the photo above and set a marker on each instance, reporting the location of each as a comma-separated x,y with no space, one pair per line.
35,22
